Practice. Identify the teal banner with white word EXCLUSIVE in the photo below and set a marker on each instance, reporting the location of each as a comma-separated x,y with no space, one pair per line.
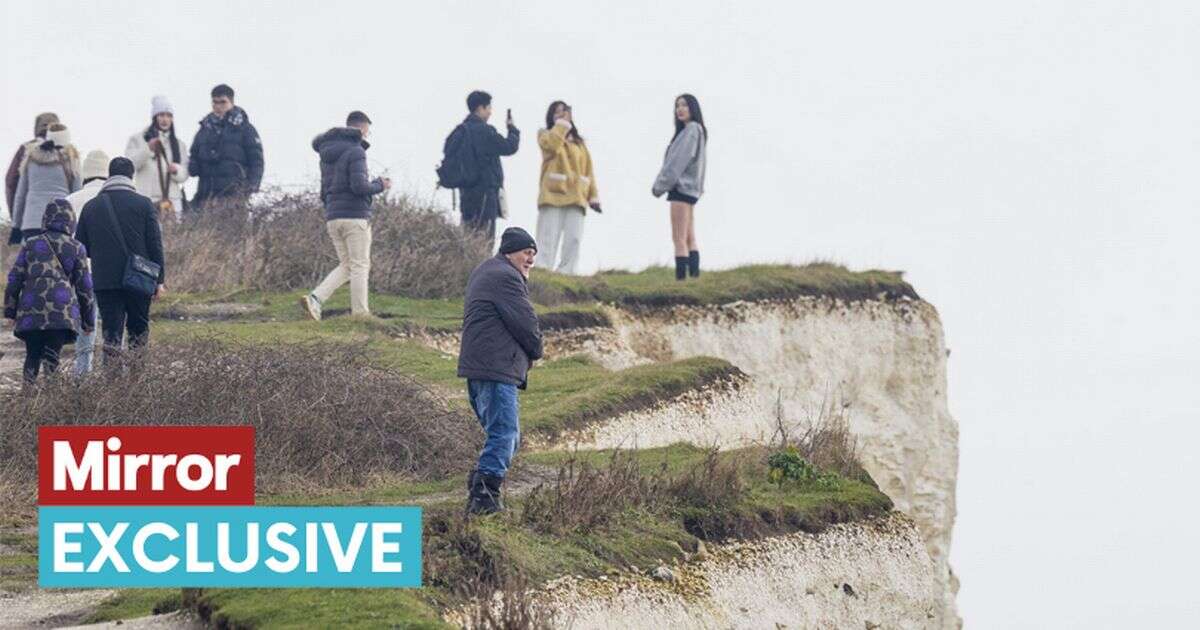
230,547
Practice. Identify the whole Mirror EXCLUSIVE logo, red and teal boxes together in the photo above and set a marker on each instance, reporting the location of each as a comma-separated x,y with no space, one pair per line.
175,507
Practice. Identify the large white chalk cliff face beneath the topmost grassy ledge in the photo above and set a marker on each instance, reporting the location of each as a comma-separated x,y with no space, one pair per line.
883,362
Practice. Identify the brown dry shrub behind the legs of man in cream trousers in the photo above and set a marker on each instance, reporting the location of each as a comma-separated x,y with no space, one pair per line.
281,244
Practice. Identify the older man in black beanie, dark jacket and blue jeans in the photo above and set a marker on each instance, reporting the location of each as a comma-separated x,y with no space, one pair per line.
501,340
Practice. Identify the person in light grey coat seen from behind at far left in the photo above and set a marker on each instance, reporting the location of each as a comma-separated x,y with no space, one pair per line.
50,171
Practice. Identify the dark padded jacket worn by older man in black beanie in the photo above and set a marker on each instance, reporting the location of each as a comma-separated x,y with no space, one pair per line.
501,338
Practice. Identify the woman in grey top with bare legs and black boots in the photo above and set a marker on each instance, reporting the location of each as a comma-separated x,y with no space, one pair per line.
682,179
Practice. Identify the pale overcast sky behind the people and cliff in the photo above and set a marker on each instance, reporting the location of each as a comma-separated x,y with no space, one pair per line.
1030,165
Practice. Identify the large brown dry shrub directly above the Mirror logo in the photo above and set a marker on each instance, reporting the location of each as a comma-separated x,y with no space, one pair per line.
323,418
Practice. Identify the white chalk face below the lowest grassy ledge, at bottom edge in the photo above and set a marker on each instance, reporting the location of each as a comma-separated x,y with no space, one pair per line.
871,574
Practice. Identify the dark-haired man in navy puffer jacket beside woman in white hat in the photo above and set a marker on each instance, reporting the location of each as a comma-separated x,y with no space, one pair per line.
227,154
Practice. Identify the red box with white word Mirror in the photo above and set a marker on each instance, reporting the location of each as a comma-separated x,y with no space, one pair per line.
146,466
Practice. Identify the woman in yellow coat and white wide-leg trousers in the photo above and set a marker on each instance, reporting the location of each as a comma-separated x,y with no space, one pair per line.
568,190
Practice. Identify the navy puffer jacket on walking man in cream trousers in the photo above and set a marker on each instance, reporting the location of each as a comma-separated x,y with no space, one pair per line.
346,188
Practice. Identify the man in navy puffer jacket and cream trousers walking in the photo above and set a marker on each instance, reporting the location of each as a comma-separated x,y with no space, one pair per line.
346,190
